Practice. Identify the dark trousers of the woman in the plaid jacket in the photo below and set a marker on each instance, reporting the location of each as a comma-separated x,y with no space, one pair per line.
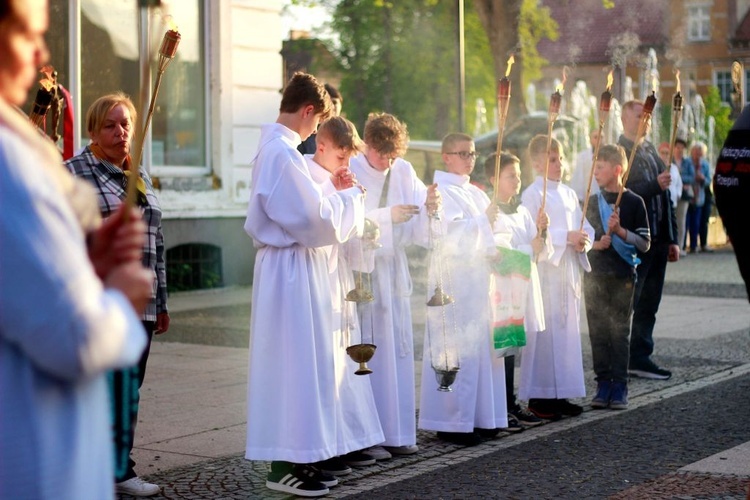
125,386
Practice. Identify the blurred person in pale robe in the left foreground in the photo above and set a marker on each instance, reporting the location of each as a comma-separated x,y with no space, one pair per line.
71,291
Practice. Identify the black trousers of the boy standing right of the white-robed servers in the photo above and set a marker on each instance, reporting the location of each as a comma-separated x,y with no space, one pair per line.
609,307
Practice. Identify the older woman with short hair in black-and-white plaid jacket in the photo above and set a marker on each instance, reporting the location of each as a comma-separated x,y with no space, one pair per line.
105,164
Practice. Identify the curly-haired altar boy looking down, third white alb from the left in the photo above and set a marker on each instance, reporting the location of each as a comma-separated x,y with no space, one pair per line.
396,200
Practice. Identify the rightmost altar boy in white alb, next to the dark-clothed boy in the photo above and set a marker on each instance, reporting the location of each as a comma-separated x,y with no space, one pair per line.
552,363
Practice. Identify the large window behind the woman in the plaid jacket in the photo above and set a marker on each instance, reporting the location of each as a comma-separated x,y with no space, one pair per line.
111,37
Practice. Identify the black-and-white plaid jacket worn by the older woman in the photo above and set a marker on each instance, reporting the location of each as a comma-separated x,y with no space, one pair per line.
110,185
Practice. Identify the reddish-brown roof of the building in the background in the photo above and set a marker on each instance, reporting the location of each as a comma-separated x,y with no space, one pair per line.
591,33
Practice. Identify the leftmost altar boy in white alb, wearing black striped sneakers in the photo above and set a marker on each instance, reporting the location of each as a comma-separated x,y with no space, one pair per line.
291,379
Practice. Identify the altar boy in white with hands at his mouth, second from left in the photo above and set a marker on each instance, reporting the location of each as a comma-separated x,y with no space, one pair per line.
358,426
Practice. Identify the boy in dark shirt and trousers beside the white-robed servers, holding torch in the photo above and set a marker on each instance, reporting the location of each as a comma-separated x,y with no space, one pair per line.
620,235
